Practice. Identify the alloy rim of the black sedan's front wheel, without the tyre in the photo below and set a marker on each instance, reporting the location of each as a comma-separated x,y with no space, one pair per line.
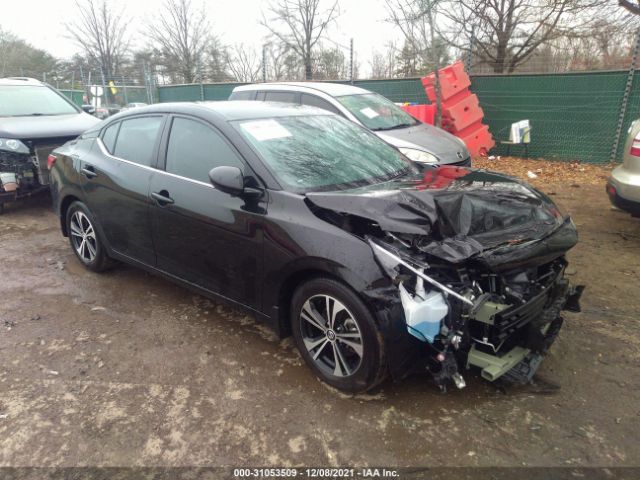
331,335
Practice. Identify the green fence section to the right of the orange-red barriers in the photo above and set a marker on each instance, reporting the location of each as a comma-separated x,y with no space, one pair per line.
573,116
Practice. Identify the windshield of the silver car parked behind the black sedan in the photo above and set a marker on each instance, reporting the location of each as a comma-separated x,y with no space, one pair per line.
376,112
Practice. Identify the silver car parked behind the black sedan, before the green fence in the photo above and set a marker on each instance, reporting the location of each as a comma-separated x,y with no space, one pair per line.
419,141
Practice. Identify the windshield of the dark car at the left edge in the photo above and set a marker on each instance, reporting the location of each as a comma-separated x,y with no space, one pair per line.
26,100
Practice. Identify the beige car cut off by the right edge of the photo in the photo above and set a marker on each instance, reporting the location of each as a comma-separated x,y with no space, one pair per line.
623,186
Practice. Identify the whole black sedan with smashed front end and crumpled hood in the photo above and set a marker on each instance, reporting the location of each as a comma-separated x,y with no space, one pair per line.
376,265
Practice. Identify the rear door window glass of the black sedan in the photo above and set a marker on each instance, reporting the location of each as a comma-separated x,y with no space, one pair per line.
137,138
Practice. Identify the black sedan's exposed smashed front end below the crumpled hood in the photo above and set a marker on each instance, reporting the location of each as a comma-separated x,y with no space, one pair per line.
486,325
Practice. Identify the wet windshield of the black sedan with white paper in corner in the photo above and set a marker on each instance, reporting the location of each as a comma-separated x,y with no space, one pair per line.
322,152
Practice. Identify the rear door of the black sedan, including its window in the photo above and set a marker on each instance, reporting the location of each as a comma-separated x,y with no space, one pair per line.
116,176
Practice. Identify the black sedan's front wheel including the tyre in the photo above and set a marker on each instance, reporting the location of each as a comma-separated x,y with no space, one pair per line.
337,336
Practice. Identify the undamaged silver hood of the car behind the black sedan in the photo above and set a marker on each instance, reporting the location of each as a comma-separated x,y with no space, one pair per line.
429,138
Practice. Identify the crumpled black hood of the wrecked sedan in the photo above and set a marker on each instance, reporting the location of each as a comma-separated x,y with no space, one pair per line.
456,214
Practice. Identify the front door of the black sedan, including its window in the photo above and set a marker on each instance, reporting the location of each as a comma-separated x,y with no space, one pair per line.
202,235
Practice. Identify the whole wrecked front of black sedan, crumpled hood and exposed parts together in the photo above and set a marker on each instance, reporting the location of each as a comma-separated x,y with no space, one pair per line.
478,262
